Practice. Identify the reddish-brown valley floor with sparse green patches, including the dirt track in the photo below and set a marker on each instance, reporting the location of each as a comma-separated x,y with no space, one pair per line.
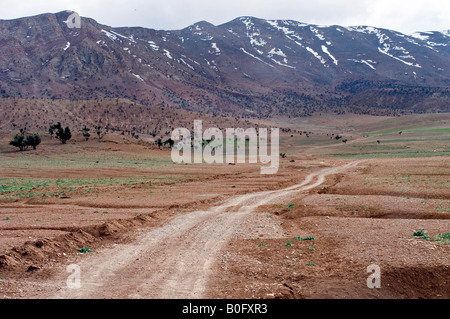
139,226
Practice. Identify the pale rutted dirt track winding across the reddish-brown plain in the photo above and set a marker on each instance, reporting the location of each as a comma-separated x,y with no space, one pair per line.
174,261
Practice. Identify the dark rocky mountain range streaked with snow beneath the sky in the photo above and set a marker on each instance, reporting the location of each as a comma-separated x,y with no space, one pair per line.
247,67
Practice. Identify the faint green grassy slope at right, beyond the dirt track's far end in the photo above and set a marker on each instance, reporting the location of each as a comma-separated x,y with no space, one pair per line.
394,138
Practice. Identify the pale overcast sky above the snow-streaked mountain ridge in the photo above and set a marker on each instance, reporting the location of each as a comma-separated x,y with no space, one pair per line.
400,15
